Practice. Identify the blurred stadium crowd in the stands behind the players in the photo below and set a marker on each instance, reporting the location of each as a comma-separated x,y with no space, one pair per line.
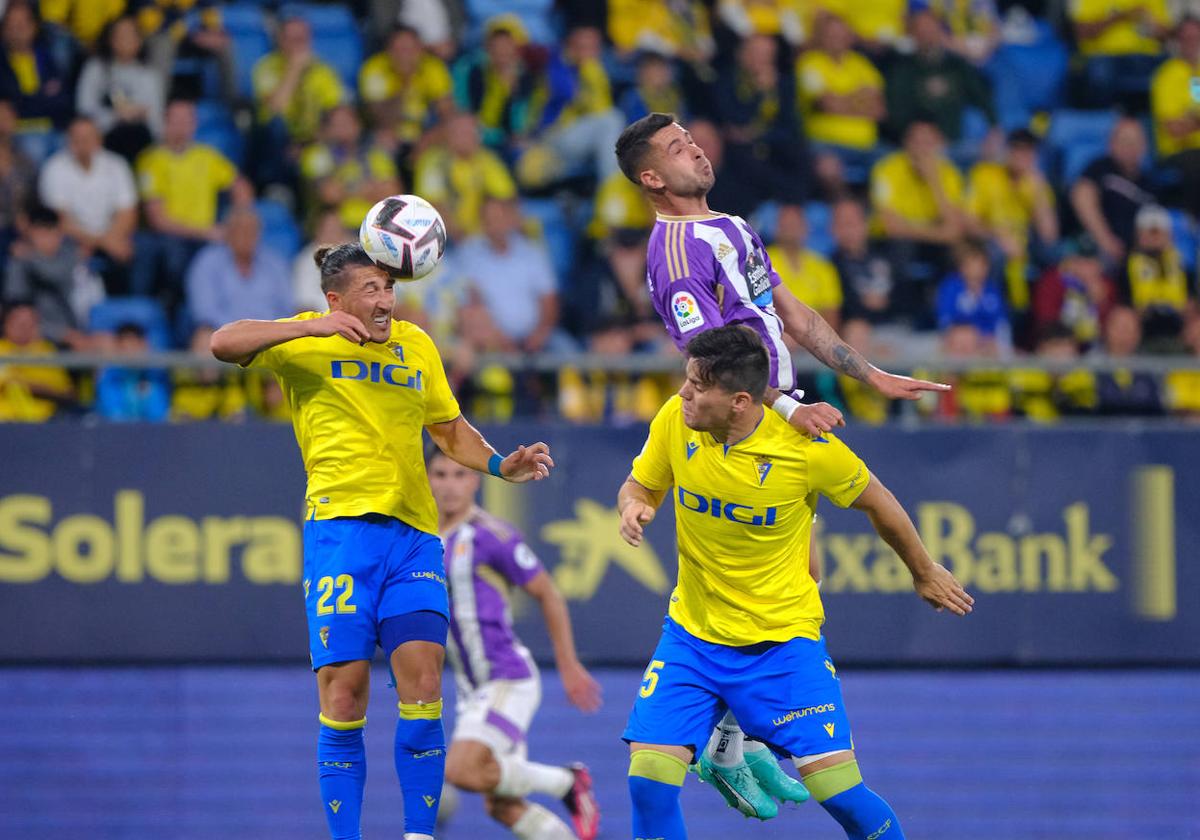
970,179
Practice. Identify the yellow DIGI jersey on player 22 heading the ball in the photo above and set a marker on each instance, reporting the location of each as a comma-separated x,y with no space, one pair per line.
358,415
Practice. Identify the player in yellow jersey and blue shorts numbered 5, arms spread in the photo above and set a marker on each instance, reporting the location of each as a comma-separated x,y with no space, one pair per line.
743,631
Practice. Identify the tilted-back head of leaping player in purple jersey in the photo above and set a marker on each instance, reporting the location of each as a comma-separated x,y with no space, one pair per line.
659,155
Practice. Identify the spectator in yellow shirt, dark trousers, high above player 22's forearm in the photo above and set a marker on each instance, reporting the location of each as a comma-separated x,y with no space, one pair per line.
293,88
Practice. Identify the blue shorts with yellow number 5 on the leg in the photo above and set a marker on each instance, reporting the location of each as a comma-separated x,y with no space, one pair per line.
785,694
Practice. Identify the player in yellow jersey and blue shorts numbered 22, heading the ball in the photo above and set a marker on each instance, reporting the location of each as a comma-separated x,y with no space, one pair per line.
362,387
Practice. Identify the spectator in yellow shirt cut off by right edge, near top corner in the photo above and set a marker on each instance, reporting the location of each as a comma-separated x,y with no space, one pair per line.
1175,105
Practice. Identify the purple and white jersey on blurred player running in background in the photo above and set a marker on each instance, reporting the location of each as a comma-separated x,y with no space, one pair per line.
485,560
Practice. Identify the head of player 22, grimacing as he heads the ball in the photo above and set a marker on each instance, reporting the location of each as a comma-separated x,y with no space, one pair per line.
355,285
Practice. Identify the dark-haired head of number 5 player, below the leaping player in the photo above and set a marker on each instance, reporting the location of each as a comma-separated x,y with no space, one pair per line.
728,376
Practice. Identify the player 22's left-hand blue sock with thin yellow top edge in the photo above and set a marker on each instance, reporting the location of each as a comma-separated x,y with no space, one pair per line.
343,771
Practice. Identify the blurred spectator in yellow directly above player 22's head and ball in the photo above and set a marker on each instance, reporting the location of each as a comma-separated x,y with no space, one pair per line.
340,172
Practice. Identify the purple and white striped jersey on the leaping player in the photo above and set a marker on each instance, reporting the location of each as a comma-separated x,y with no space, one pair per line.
707,272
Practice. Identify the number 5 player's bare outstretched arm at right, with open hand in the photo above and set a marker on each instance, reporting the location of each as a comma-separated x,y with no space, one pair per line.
932,580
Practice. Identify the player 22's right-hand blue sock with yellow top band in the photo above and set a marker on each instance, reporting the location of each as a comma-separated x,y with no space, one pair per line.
421,764
